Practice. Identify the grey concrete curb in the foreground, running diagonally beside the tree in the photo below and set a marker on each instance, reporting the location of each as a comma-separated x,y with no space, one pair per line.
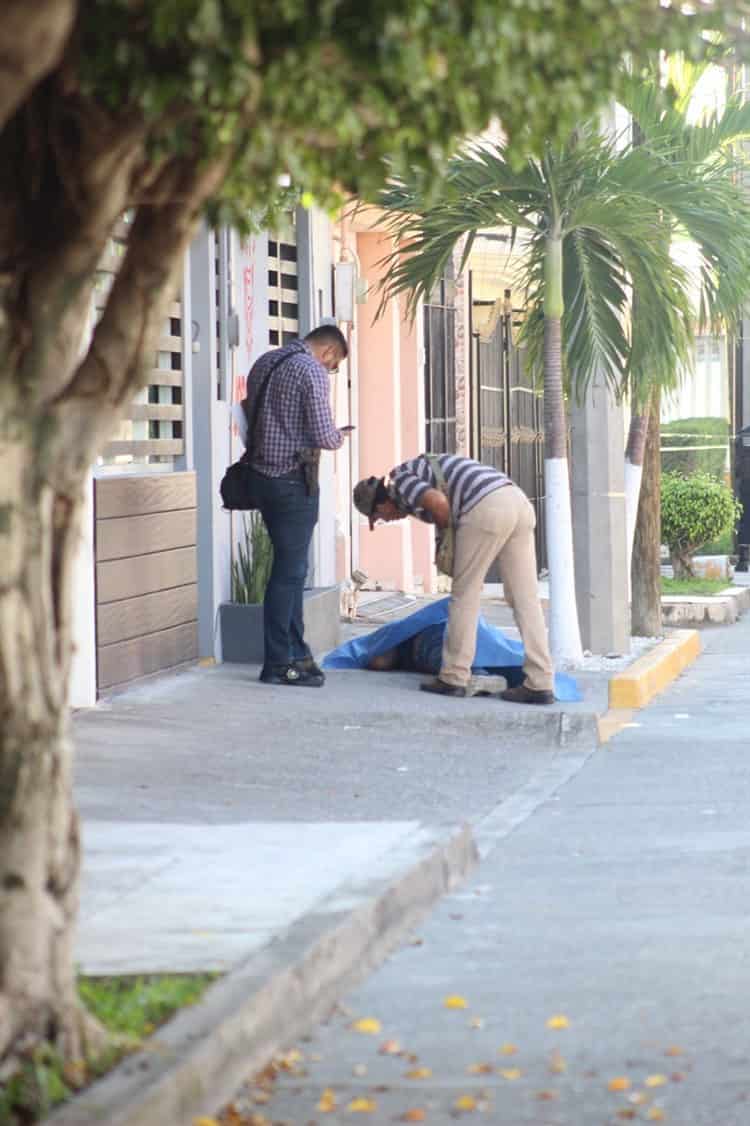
203,1056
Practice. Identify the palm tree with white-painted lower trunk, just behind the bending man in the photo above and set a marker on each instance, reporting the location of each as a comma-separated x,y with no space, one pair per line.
592,218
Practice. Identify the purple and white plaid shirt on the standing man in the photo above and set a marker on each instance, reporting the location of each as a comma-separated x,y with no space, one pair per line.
297,412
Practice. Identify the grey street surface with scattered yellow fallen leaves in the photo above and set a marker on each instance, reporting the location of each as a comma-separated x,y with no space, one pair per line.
621,902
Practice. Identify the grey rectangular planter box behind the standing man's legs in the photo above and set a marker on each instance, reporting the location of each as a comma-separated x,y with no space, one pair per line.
243,627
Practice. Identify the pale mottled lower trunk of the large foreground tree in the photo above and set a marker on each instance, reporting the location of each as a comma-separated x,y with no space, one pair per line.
40,845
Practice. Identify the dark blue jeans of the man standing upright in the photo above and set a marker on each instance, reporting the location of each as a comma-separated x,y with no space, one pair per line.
291,517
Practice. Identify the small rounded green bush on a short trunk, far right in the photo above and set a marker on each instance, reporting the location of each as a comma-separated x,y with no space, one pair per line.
694,511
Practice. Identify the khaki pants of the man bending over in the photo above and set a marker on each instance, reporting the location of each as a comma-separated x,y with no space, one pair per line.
502,526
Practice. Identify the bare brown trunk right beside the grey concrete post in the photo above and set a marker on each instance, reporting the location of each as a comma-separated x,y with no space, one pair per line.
646,574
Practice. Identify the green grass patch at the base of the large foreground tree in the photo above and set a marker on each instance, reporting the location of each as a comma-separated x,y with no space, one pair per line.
130,1008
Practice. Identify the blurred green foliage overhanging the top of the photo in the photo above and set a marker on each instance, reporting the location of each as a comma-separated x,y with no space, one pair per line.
328,92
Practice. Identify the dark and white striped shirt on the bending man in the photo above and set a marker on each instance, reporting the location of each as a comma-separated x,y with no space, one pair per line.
467,484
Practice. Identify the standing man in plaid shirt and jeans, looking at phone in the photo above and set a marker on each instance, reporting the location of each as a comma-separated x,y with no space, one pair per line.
294,415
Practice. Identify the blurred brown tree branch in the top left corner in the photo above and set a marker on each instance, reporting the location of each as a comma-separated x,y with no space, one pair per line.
33,40
